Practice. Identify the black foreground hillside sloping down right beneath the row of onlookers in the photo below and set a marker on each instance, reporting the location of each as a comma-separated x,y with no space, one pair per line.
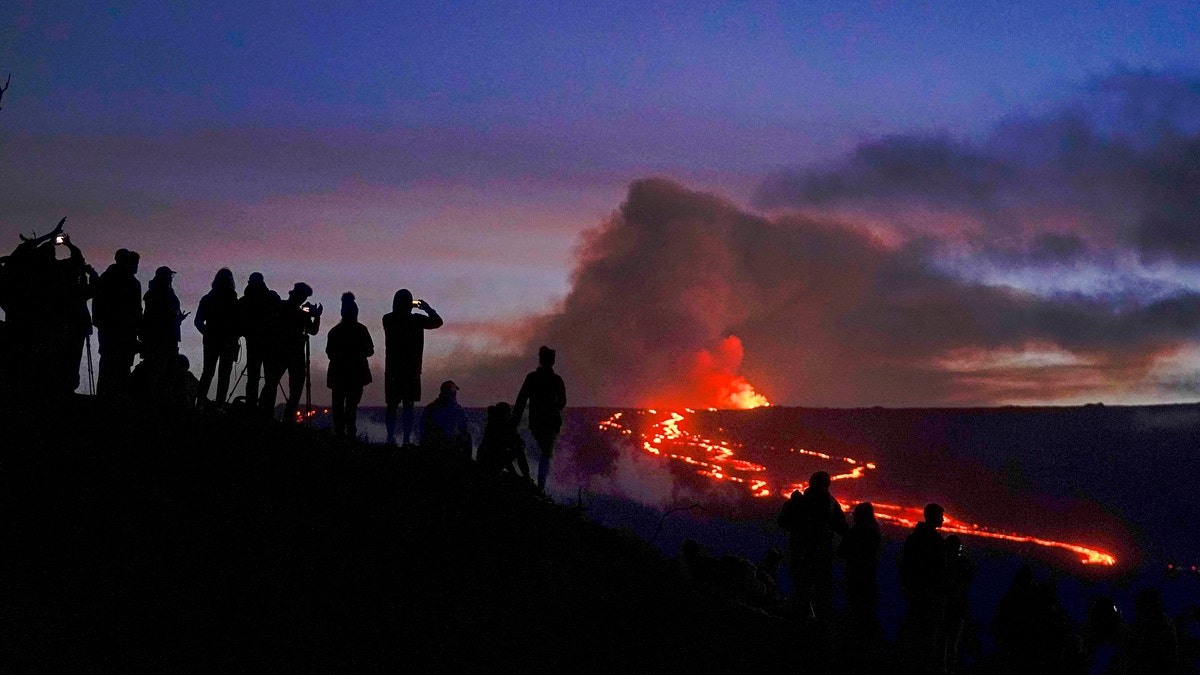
207,543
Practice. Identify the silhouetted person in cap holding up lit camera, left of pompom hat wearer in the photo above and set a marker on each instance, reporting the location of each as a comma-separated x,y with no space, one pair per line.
287,333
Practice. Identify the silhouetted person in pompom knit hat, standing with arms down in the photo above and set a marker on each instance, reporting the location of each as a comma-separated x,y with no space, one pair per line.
349,347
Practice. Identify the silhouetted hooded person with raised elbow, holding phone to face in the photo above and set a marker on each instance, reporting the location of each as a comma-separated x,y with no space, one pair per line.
405,348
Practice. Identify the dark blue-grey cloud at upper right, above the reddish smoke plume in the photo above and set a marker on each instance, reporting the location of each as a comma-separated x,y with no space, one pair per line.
1120,169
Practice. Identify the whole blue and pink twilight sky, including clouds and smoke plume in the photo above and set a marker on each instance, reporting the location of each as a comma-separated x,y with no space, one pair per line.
820,204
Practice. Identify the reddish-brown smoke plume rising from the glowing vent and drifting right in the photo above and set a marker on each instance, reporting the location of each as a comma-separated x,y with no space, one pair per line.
827,315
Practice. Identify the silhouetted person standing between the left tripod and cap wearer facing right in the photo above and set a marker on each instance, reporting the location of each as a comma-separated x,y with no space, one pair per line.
117,314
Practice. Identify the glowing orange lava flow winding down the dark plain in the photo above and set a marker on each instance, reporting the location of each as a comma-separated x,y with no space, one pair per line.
716,459
